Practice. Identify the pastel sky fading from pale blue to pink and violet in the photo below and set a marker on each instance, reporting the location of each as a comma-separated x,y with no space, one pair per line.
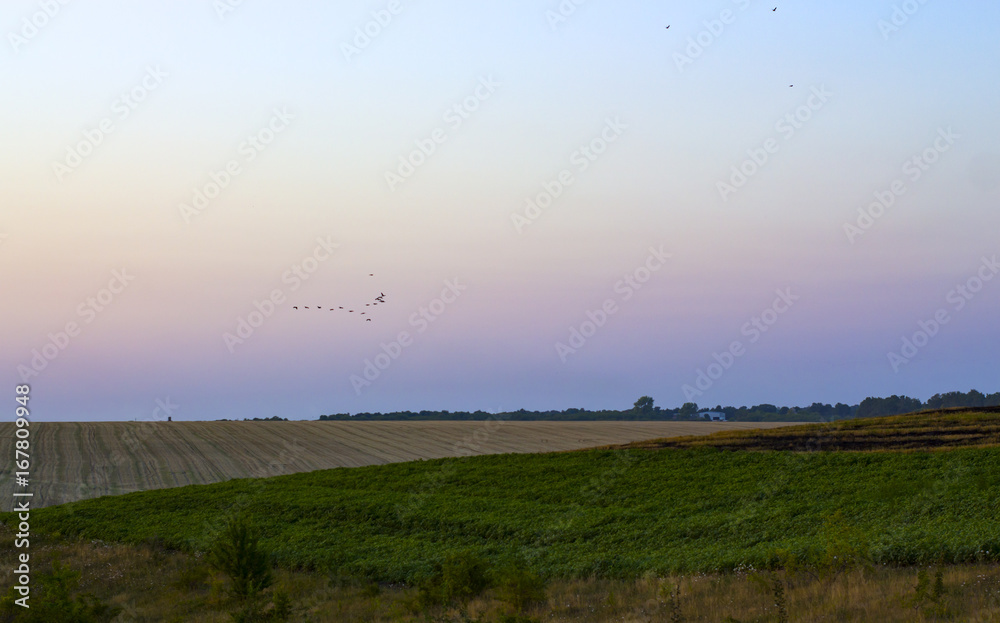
565,204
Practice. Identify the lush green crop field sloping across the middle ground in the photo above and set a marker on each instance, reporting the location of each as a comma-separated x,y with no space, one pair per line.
613,513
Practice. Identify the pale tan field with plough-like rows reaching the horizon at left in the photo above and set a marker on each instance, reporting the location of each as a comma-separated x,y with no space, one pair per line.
79,460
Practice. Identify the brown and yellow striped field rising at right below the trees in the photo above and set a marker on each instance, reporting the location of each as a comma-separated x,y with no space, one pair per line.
942,429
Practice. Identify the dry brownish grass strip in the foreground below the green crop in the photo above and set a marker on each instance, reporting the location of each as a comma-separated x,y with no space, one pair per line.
155,585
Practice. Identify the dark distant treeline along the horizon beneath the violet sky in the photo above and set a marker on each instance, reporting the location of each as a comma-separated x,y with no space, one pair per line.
644,409
